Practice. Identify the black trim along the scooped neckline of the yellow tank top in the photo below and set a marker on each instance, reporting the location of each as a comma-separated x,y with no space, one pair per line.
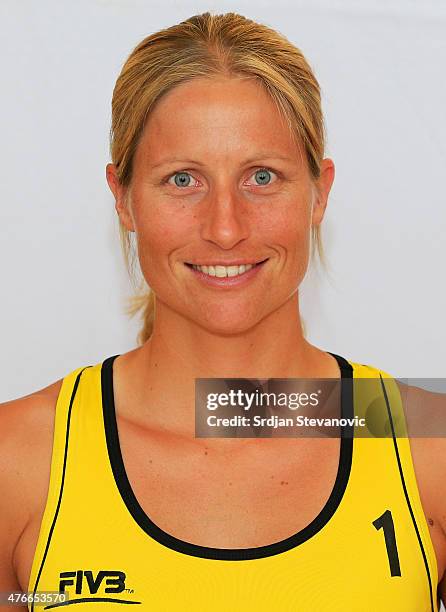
229,554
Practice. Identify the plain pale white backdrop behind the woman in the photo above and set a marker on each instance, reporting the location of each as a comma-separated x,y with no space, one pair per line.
381,66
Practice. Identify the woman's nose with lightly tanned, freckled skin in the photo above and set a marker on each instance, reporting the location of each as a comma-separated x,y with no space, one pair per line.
225,216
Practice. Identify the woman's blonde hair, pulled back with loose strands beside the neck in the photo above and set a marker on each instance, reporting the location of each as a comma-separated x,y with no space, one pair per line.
204,46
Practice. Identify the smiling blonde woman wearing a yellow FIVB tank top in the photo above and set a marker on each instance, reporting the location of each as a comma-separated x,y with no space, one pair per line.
219,172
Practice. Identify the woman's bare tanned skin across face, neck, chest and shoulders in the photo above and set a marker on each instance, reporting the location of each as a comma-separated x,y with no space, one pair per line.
250,331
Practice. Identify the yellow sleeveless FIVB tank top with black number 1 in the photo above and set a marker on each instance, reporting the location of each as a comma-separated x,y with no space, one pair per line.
368,550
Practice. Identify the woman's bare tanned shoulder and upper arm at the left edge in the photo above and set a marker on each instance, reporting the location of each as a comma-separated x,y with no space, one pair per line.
26,435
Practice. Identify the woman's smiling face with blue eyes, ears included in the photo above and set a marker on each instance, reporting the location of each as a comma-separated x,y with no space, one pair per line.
218,179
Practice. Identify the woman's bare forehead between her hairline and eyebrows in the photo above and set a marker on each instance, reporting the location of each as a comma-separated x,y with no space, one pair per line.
216,117
